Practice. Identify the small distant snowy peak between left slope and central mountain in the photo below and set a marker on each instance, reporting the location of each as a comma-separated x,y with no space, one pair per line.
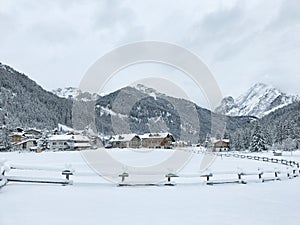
75,94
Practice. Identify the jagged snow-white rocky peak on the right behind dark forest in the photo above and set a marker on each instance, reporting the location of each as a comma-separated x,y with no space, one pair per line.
258,101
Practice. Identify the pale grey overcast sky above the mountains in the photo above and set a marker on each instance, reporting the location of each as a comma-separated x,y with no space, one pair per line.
242,42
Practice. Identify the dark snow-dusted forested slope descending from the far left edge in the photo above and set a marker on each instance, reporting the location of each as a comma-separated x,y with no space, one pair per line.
23,103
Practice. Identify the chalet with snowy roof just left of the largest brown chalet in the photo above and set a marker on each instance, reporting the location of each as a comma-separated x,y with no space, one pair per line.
125,141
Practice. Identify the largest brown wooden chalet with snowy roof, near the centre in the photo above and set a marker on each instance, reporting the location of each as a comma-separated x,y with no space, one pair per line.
157,140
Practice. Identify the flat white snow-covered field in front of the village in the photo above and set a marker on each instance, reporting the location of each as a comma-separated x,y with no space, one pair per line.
91,200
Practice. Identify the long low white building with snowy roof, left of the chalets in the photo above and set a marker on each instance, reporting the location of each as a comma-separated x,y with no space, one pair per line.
68,142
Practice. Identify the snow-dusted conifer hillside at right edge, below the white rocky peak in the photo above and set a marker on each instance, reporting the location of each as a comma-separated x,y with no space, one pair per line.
278,130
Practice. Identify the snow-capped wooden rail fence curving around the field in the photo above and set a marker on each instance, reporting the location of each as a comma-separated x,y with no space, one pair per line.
209,178
